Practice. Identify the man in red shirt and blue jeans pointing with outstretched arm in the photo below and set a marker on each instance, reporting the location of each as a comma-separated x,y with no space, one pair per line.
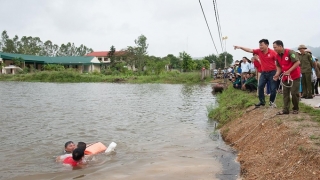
268,70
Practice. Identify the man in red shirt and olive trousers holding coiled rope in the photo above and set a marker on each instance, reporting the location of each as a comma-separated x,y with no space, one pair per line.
288,64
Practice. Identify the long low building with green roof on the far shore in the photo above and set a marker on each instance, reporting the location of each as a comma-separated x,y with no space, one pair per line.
81,63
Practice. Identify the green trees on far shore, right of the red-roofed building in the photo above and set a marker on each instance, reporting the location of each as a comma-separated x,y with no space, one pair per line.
138,56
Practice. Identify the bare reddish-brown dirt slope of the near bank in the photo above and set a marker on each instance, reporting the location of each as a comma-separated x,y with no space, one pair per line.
275,147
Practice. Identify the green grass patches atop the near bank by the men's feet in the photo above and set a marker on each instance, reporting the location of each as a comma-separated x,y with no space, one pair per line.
233,103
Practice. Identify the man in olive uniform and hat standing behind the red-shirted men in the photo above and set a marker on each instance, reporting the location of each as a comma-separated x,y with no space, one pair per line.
306,71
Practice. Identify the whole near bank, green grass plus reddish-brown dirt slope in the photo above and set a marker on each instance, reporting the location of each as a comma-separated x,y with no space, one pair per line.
269,146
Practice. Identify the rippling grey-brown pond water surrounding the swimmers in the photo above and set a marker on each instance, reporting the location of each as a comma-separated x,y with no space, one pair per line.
161,130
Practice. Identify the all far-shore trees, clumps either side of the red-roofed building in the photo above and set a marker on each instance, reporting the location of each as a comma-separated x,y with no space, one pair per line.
136,55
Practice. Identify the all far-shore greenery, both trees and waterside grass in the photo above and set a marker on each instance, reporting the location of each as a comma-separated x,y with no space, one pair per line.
148,68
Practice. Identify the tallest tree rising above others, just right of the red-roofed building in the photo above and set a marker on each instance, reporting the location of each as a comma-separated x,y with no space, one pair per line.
141,51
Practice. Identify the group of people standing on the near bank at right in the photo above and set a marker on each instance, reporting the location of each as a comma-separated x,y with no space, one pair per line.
287,66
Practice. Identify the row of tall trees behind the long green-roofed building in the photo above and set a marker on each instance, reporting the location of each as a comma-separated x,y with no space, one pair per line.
35,46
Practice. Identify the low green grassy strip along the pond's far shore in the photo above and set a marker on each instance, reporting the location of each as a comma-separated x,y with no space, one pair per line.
72,76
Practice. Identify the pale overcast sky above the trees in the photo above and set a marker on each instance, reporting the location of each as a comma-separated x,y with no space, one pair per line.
171,26
